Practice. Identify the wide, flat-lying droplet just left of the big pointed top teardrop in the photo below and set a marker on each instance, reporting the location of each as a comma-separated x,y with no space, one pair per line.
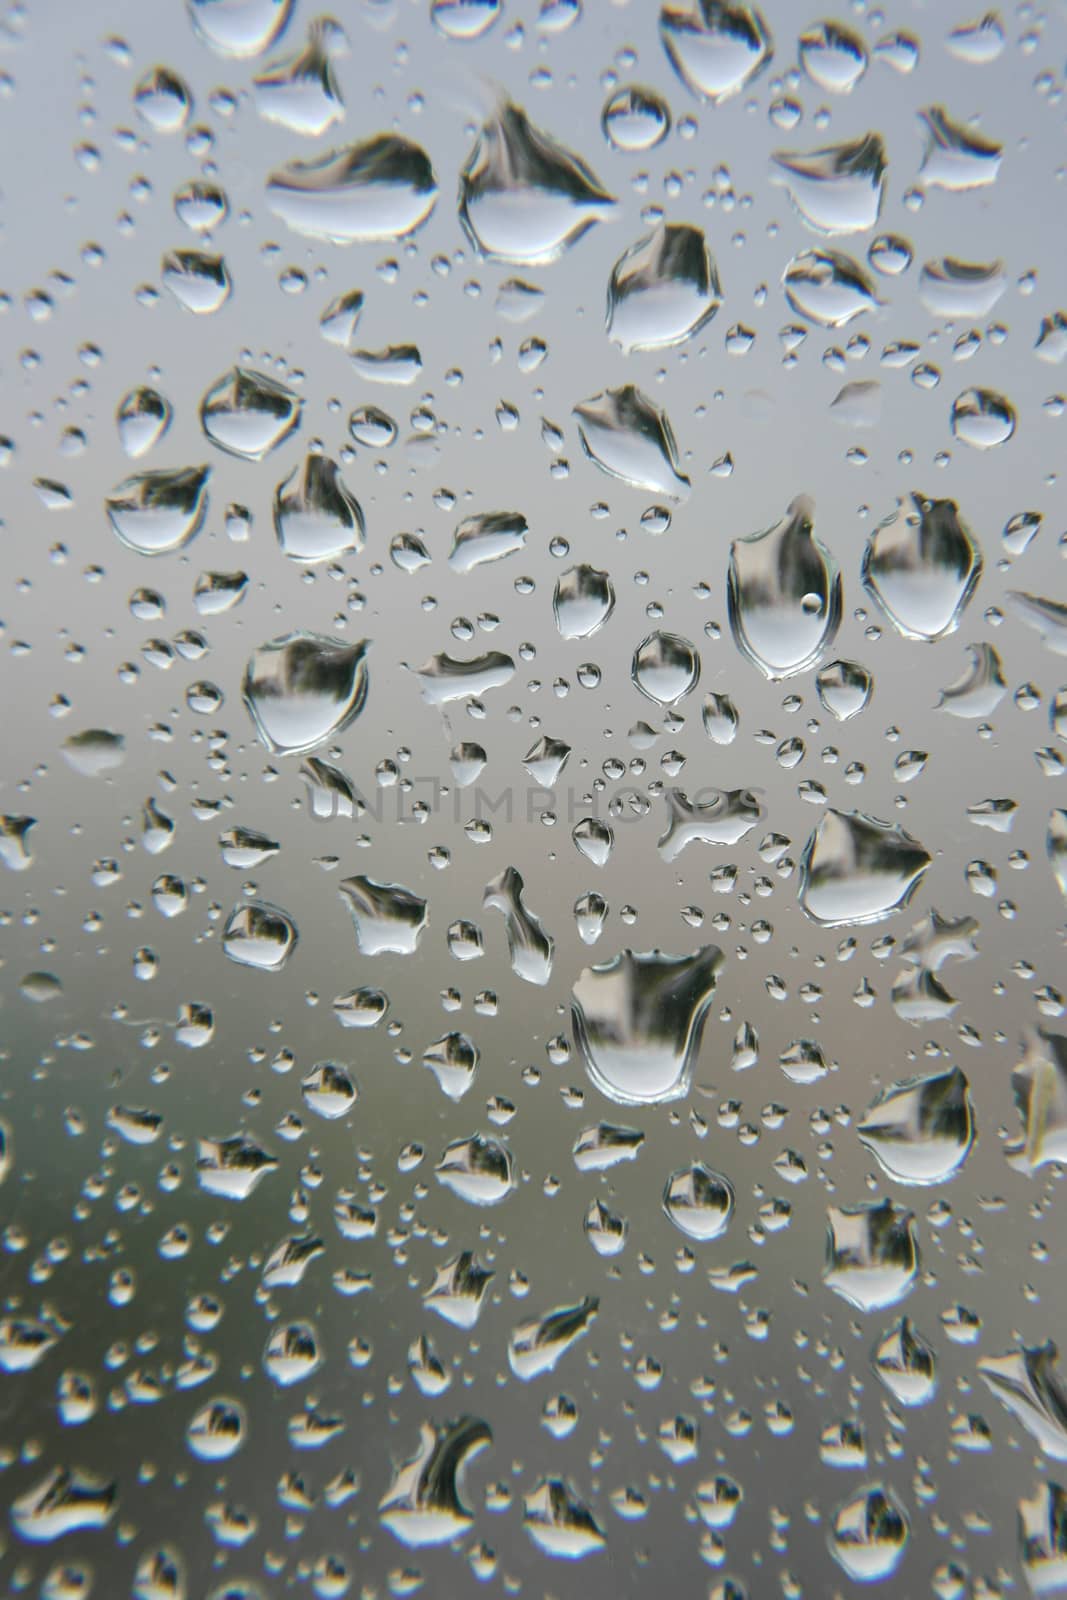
364,193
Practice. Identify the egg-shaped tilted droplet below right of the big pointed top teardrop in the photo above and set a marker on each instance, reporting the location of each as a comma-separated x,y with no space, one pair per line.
663,290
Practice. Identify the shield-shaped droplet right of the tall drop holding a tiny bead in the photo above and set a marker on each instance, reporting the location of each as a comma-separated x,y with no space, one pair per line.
922,567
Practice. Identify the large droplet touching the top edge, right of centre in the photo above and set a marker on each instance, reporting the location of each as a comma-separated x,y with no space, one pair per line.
719,49
